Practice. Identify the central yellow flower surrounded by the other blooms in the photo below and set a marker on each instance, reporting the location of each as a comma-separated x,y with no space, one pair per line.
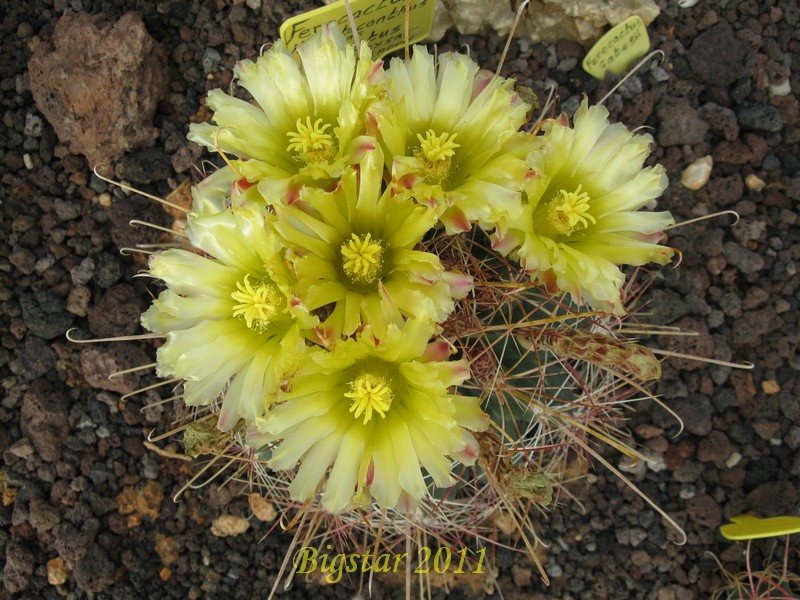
353,251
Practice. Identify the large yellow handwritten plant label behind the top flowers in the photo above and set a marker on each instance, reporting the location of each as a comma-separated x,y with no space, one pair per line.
381,23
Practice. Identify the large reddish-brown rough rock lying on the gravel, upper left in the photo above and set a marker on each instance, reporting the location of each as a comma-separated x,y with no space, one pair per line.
98,83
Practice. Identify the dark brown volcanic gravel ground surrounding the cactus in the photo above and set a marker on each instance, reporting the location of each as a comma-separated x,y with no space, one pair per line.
86,507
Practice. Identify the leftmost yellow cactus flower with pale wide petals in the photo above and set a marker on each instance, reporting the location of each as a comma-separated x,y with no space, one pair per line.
231,323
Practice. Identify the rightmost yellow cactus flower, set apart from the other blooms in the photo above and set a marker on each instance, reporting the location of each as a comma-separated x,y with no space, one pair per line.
582,216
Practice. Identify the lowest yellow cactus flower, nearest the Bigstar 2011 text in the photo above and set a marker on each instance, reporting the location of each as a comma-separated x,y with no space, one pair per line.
372,414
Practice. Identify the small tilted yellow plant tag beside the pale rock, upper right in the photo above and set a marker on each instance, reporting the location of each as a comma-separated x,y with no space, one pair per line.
617,50
